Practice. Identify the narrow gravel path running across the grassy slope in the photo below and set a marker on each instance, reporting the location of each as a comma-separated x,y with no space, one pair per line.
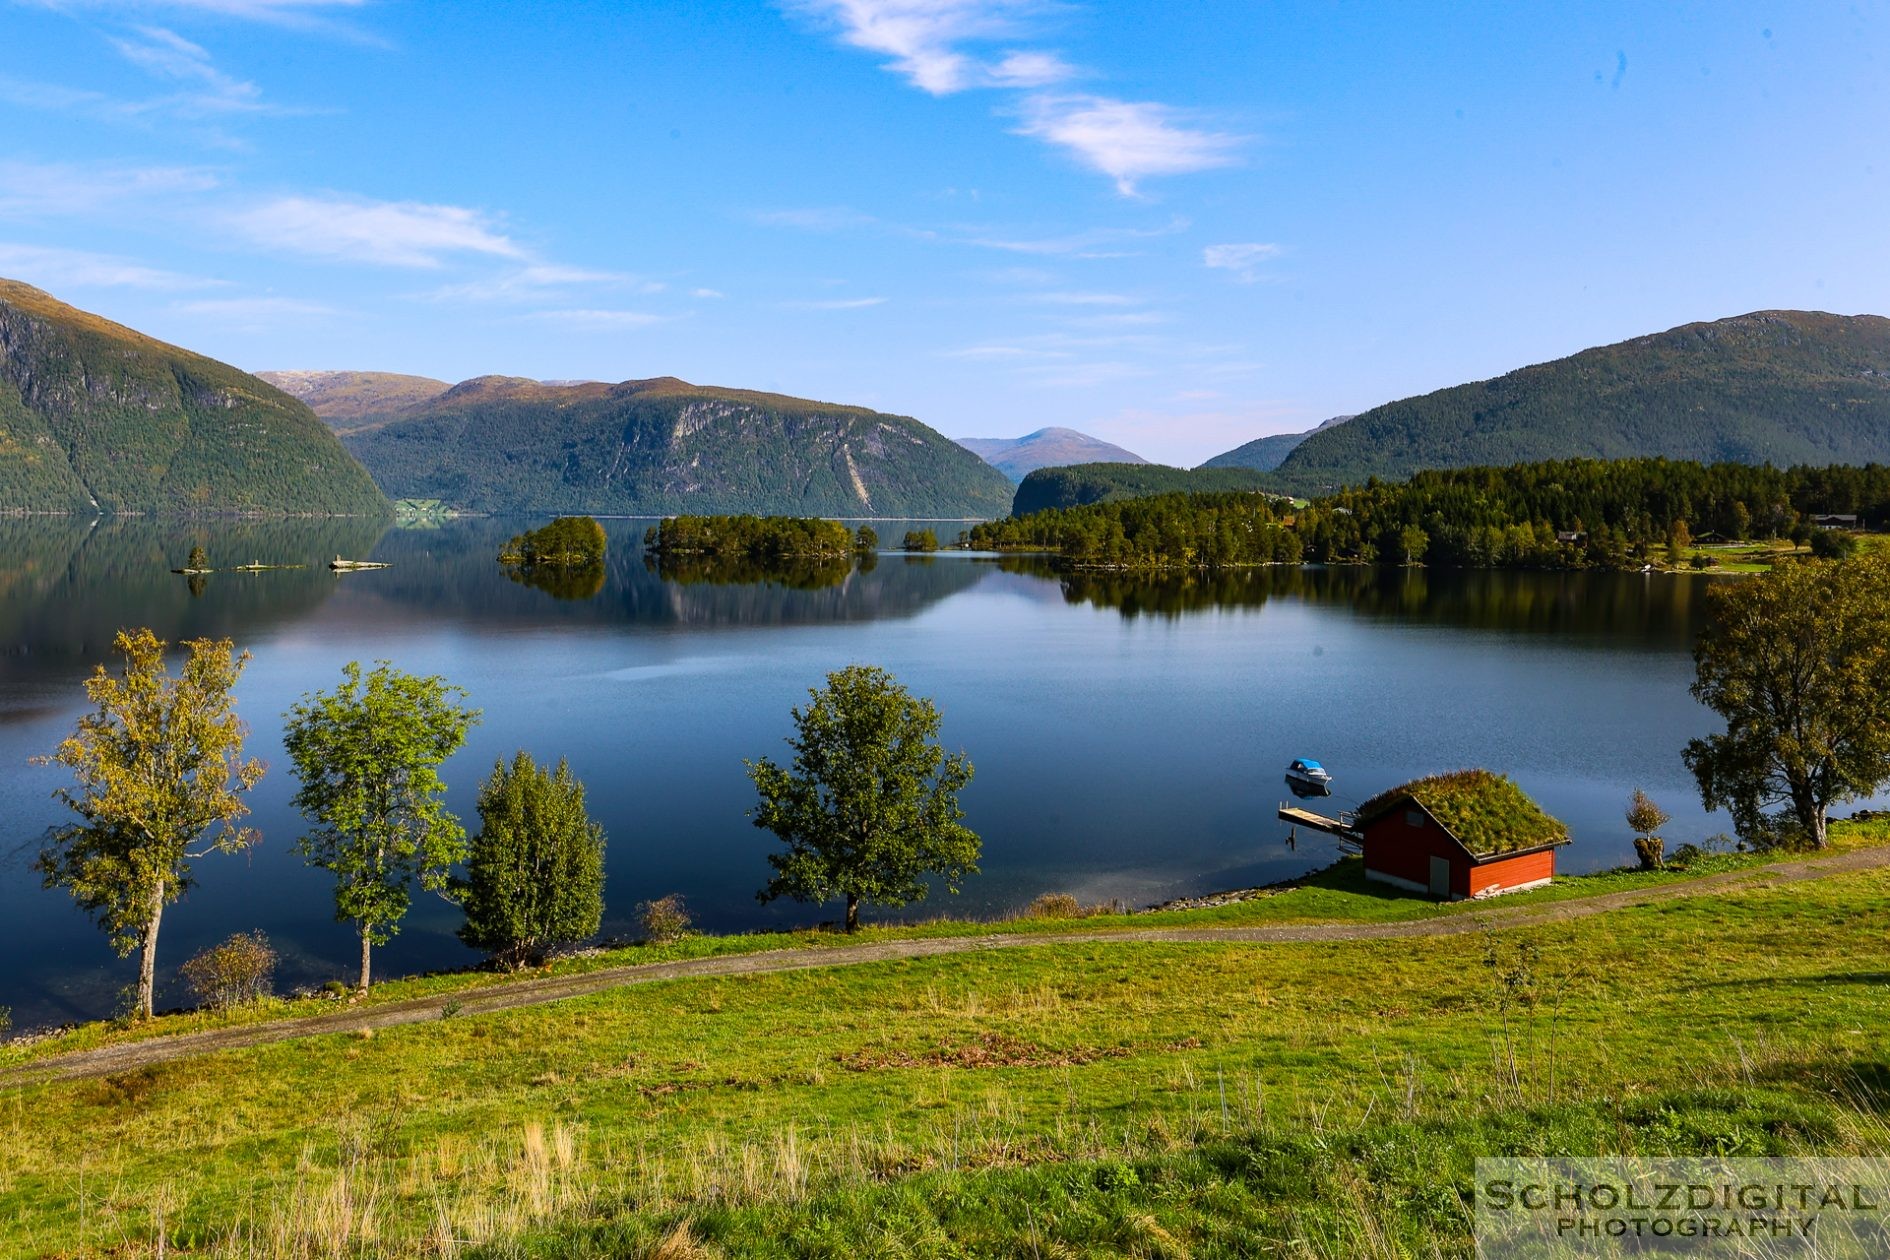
506,996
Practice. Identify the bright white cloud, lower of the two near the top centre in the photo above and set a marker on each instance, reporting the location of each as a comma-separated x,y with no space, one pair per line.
1127,141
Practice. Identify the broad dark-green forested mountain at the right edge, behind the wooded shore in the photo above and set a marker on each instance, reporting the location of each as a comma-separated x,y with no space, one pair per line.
1778,386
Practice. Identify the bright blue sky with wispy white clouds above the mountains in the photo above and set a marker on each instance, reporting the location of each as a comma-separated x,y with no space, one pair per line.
1175,226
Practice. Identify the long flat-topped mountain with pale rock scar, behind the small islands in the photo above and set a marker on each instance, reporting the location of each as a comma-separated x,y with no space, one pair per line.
659,447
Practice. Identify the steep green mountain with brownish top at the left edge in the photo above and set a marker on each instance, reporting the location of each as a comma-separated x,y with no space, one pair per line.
95,417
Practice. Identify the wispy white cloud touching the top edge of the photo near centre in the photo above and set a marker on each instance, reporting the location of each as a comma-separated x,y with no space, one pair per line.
925,41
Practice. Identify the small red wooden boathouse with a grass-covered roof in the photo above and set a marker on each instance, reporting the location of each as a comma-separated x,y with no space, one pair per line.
1468,834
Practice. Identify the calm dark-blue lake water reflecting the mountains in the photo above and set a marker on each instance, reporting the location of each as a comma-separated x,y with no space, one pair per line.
1127,736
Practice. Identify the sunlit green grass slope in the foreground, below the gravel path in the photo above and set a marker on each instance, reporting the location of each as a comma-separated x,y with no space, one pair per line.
1059,1100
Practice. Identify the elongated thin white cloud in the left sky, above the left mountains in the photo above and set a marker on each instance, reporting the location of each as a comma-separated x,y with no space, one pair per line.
368,231
